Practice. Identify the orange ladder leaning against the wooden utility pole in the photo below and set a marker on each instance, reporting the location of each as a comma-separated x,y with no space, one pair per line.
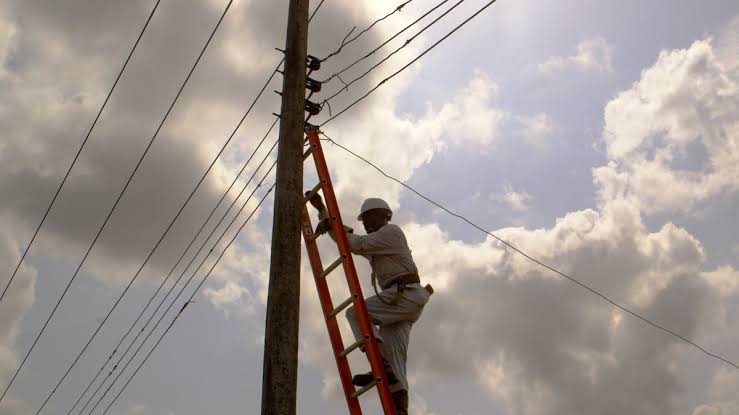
356,298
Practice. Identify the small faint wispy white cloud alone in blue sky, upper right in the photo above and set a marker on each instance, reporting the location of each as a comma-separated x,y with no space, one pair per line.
591,55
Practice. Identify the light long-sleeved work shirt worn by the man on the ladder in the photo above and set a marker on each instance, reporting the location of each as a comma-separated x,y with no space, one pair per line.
386,249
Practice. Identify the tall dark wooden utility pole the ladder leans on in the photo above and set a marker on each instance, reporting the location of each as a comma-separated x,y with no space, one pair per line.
280,372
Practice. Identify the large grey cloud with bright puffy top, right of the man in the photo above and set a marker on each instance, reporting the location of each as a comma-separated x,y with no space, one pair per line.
563,341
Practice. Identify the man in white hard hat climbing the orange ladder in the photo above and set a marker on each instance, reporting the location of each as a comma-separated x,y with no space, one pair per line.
402,299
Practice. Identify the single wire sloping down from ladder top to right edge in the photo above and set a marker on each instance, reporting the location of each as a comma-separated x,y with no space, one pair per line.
527,256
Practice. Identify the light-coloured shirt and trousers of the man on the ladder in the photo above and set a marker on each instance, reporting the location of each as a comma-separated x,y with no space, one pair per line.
390,258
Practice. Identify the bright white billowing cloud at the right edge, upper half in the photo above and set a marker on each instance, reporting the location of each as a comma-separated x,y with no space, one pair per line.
677,128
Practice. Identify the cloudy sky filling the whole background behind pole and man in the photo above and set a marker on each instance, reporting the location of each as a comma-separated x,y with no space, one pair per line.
599,137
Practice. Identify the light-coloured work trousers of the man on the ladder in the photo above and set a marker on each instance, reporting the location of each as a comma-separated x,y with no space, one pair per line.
392,324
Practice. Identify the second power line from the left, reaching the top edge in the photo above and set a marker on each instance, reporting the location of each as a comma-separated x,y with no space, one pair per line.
120,196
